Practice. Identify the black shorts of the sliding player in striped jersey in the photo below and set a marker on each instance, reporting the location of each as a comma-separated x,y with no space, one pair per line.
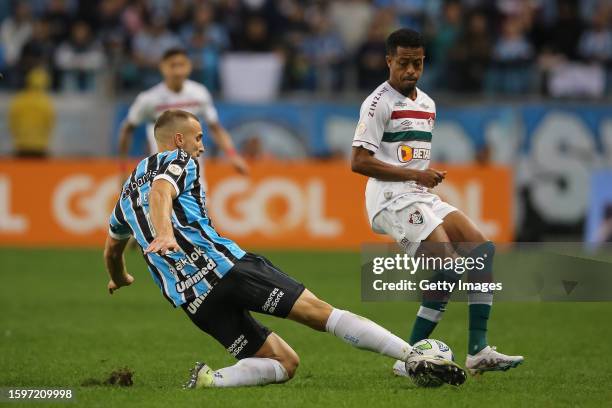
255,285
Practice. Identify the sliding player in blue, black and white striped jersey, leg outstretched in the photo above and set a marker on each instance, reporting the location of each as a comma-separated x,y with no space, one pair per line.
216,283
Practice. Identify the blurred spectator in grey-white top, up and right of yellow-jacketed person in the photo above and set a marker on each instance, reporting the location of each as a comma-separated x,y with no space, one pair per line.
79,59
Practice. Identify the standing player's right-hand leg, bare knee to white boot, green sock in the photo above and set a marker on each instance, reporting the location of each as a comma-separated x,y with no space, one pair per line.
481,357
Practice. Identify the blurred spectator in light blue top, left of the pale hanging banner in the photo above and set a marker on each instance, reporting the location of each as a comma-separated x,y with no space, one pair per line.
512,56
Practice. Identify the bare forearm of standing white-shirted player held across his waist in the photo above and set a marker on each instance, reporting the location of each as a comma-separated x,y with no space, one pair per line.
364,162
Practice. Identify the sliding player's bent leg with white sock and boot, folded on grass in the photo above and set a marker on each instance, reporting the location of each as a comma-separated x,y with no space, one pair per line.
274,362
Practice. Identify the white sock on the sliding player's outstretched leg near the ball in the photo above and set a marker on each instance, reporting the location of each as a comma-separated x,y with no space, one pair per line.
367,335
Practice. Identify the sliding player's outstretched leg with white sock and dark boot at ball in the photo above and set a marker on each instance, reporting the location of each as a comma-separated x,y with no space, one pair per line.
367,335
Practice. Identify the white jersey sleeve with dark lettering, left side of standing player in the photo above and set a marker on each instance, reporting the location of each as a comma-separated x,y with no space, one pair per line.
373,116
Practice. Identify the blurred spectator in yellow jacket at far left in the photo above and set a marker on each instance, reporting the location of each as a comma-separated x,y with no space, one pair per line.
31,117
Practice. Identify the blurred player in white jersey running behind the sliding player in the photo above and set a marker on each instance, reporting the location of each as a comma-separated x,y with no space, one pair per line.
176,91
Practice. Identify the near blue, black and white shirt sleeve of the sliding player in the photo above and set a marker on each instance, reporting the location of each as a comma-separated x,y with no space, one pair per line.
180,169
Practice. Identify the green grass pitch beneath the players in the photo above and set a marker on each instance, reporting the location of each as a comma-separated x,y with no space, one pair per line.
59,327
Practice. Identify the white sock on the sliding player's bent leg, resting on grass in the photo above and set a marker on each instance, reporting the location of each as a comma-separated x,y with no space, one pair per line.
250,371
